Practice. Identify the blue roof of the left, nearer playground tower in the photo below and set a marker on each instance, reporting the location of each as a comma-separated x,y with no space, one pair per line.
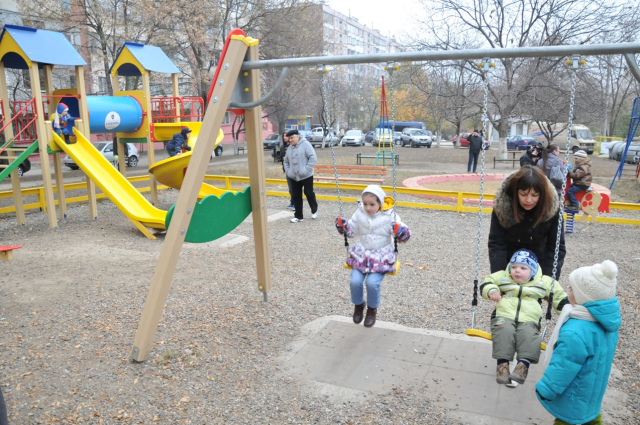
41,46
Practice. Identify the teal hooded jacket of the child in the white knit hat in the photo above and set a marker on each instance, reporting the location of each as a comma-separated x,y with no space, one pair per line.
573,385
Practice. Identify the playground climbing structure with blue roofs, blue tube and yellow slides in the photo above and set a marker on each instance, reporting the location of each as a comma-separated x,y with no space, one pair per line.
133,115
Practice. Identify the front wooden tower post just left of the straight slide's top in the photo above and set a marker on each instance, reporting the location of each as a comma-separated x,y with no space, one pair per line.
42,144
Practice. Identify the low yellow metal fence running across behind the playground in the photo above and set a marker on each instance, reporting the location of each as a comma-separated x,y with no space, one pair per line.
229,180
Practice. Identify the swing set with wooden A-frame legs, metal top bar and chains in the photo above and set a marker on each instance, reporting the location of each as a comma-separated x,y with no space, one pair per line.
236,86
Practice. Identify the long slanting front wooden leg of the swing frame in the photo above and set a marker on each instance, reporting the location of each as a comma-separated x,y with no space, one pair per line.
187,197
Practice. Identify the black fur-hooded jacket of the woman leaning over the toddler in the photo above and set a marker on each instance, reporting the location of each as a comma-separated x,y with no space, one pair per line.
506,236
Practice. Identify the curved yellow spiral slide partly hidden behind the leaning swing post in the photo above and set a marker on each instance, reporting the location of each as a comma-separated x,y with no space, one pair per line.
171,171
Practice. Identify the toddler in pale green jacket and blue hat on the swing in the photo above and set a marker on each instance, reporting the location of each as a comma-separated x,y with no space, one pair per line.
515,323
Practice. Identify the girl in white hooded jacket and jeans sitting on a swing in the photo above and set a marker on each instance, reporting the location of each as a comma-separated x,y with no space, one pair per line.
376,222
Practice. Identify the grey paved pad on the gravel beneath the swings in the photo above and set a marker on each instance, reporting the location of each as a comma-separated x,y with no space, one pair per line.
346,362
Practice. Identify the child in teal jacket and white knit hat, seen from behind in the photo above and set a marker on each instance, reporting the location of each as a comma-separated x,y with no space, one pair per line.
582,346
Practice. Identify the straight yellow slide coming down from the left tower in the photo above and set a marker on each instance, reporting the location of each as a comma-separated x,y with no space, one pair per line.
112,183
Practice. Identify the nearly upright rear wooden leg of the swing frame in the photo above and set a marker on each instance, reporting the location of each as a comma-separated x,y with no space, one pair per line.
253,127
